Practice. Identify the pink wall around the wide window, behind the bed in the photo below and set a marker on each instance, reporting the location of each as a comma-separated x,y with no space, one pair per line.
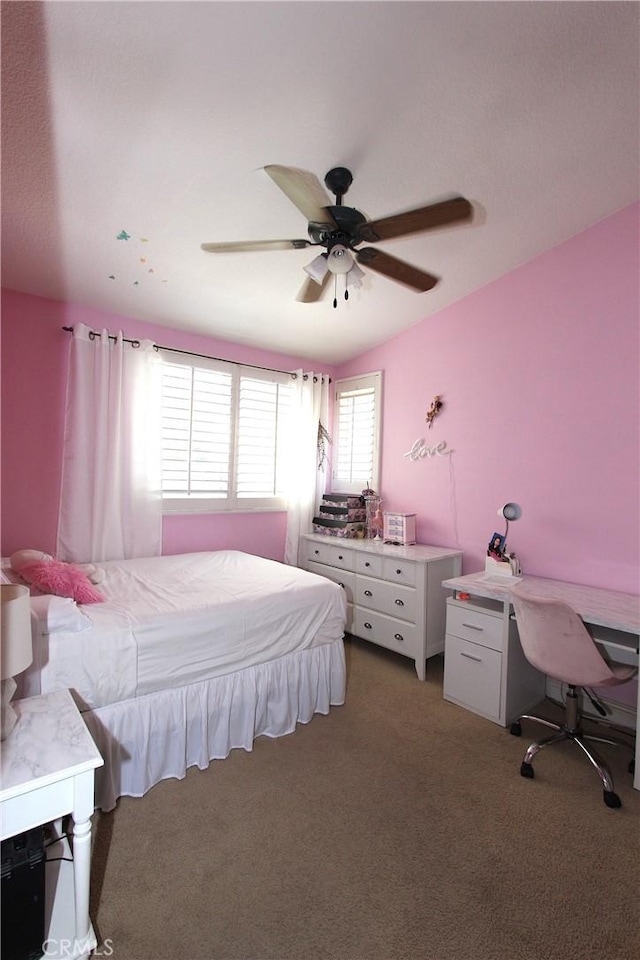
34,362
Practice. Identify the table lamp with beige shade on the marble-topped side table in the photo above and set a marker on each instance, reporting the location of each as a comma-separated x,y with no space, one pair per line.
17,650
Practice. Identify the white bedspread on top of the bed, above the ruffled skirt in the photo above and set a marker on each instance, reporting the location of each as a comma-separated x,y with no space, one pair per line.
176,620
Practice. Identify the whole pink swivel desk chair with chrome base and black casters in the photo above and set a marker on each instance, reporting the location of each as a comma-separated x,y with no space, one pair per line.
555,640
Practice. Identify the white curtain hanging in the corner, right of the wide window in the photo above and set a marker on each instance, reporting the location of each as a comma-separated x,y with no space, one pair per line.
307,482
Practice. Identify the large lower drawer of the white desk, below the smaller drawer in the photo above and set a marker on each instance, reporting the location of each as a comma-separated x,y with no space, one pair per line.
472,676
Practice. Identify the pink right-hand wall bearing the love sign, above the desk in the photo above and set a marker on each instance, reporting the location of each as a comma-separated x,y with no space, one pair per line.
539,372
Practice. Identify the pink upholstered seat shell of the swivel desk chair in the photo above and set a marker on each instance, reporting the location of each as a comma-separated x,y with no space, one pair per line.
555,640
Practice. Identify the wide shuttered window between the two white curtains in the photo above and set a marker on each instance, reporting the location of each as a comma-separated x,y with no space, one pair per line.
224,430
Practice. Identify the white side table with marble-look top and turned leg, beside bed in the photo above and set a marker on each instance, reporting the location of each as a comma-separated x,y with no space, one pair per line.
47,768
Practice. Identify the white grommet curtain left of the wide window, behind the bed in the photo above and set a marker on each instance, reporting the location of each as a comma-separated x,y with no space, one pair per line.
110,502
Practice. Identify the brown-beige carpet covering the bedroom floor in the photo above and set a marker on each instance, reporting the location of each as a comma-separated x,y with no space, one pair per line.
396,828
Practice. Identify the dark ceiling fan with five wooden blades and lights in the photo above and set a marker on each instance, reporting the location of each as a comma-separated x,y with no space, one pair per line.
340,230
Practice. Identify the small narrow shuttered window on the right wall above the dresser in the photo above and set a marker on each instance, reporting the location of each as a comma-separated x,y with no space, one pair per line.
356,430
